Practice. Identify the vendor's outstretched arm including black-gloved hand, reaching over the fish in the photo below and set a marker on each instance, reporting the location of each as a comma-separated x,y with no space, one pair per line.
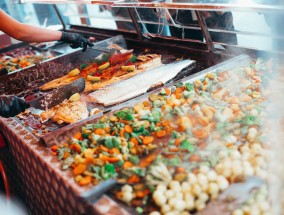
29,33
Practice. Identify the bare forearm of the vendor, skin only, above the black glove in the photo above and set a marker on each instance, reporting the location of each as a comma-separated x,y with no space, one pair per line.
26,33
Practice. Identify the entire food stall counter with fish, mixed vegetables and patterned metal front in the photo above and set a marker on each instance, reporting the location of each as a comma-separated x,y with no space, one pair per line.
159,126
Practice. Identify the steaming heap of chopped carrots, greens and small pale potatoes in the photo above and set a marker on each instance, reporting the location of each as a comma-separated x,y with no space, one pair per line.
178,150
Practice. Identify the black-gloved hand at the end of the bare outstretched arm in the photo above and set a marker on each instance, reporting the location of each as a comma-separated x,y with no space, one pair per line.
77,40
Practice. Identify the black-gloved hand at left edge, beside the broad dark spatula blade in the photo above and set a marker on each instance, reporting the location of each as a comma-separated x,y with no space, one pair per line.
11,106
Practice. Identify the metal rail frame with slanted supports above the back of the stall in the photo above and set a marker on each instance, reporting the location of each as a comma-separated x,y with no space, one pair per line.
196,7
